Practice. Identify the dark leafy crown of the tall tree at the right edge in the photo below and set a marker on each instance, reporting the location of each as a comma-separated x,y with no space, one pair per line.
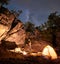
53,21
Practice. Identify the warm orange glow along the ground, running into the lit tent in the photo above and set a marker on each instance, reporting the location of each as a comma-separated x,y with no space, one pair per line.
48,52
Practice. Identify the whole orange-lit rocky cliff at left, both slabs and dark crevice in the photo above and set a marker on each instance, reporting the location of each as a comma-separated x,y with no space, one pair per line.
11,29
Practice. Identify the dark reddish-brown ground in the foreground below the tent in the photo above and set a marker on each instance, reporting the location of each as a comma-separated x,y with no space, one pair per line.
7,57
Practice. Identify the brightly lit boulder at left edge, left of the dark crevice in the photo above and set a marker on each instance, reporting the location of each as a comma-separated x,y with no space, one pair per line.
5,24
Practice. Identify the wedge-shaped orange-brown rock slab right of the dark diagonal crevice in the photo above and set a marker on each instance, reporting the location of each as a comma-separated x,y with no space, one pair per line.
17,34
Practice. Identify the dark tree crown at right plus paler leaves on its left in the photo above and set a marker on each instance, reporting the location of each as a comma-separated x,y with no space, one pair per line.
53,22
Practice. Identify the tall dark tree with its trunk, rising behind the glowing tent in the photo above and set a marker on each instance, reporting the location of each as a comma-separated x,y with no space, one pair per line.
53,25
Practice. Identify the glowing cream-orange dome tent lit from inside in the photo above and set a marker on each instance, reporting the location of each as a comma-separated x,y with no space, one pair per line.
50,52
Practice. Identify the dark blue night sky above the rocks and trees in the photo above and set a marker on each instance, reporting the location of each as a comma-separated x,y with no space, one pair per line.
36,11
